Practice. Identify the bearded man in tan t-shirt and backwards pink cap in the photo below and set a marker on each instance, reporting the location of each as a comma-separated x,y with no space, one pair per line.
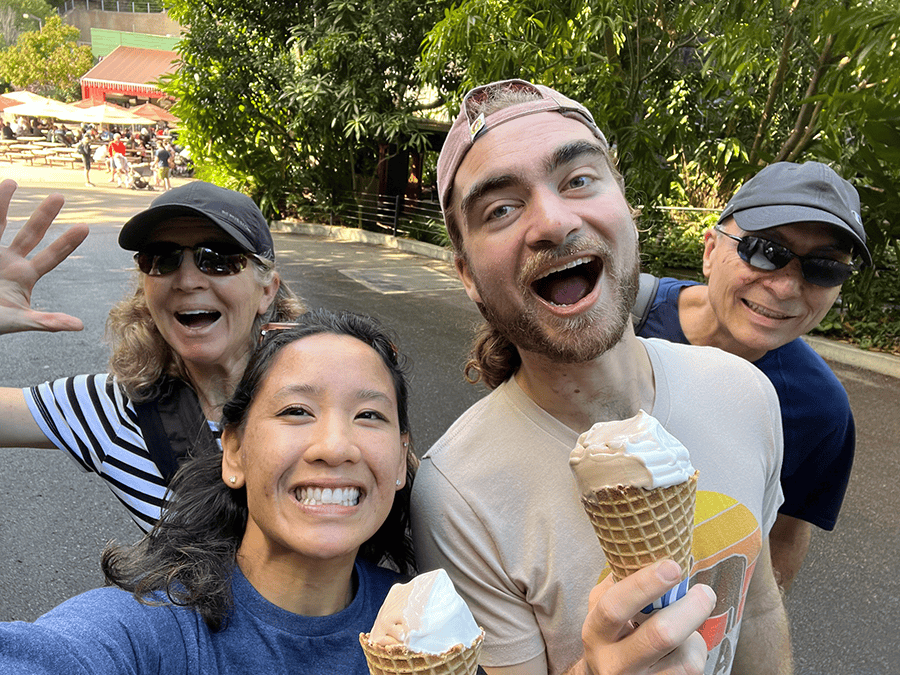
547,248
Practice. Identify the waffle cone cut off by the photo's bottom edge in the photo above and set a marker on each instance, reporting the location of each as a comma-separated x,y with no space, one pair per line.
398,660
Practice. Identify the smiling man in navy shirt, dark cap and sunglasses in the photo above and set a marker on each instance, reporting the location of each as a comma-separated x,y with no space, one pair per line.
774,265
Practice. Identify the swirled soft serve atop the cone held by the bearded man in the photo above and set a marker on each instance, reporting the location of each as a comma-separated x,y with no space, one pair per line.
636,452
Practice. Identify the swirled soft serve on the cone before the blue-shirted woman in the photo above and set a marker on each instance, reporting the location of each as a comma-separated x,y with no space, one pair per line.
425,615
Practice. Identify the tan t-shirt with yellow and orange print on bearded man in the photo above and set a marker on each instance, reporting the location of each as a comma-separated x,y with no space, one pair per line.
496,505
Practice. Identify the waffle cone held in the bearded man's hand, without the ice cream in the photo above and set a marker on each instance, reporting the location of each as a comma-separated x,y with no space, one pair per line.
637,527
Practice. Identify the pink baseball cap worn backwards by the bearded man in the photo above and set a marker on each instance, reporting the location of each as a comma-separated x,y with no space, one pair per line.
470,125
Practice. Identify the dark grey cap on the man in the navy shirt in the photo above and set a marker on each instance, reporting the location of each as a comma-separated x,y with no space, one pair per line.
785,193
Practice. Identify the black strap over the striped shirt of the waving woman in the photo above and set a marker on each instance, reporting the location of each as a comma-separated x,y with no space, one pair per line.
174,426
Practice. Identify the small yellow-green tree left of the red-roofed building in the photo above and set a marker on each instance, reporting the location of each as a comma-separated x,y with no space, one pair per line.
48,62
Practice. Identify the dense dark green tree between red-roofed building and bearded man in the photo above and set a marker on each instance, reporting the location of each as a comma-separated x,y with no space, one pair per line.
289,101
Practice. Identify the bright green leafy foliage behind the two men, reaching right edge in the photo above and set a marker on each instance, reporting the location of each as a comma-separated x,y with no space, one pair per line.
697,96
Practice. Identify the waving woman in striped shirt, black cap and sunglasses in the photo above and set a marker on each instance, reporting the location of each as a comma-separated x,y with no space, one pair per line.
205,282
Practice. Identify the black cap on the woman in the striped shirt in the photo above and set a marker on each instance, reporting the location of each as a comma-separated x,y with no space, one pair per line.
235,213
